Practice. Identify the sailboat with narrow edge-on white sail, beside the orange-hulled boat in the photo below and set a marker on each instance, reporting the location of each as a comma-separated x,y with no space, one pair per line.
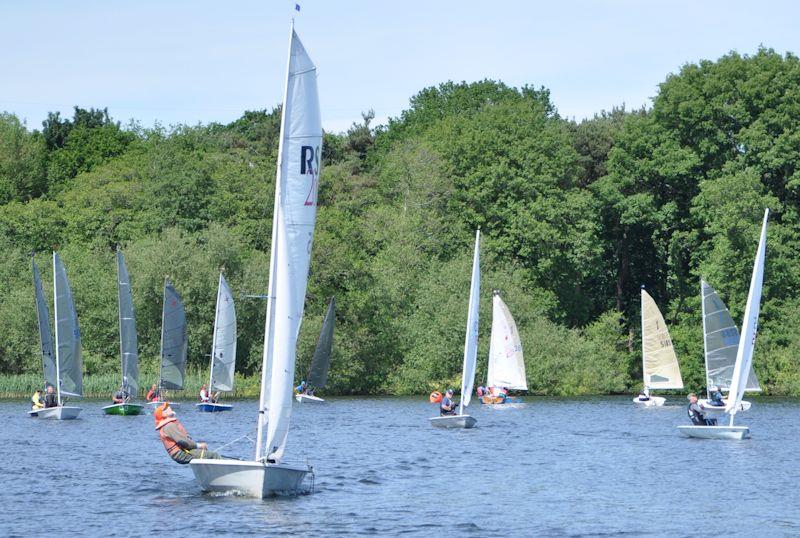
462,420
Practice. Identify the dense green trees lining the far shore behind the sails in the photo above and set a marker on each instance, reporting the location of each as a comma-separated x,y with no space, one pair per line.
575,217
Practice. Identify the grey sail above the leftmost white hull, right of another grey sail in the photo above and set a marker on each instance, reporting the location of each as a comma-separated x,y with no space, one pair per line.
68,336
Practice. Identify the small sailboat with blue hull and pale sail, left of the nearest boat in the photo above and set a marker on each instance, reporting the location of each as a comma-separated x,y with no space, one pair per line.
223,348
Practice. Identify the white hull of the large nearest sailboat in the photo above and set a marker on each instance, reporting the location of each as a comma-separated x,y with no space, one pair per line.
249,478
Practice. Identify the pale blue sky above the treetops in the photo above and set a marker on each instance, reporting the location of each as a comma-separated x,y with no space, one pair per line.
200,61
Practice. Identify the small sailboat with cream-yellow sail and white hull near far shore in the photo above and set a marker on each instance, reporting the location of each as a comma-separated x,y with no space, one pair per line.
660,367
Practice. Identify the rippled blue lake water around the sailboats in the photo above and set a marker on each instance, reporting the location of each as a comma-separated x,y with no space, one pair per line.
549,467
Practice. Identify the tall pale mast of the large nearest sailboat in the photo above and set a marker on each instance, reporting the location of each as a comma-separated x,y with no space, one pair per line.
266,365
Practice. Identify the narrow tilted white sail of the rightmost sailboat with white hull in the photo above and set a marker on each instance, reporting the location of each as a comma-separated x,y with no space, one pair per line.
747,342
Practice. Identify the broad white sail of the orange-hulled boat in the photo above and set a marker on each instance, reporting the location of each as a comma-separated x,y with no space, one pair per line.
506,364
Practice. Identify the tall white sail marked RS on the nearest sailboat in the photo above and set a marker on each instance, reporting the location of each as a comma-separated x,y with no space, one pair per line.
293,230
